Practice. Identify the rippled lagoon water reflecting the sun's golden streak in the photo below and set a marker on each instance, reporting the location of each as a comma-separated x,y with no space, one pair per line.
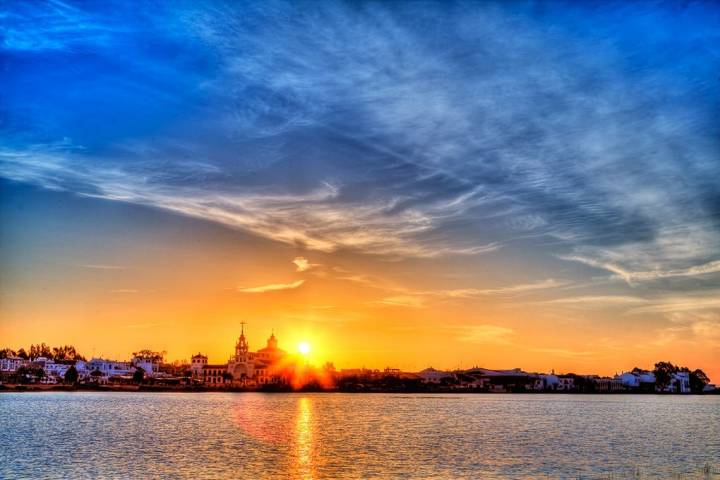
254,435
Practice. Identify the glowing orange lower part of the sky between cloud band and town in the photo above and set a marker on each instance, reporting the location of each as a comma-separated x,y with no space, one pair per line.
184,286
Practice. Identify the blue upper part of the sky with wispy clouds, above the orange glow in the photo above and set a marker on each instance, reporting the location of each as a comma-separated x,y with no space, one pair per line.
583,136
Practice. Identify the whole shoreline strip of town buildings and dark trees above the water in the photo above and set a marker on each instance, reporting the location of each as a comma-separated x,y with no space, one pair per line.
272,368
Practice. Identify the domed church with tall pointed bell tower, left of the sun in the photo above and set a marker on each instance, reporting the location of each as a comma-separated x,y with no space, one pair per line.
244,368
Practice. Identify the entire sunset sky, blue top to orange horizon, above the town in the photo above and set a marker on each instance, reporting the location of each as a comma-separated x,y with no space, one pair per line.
403,184
